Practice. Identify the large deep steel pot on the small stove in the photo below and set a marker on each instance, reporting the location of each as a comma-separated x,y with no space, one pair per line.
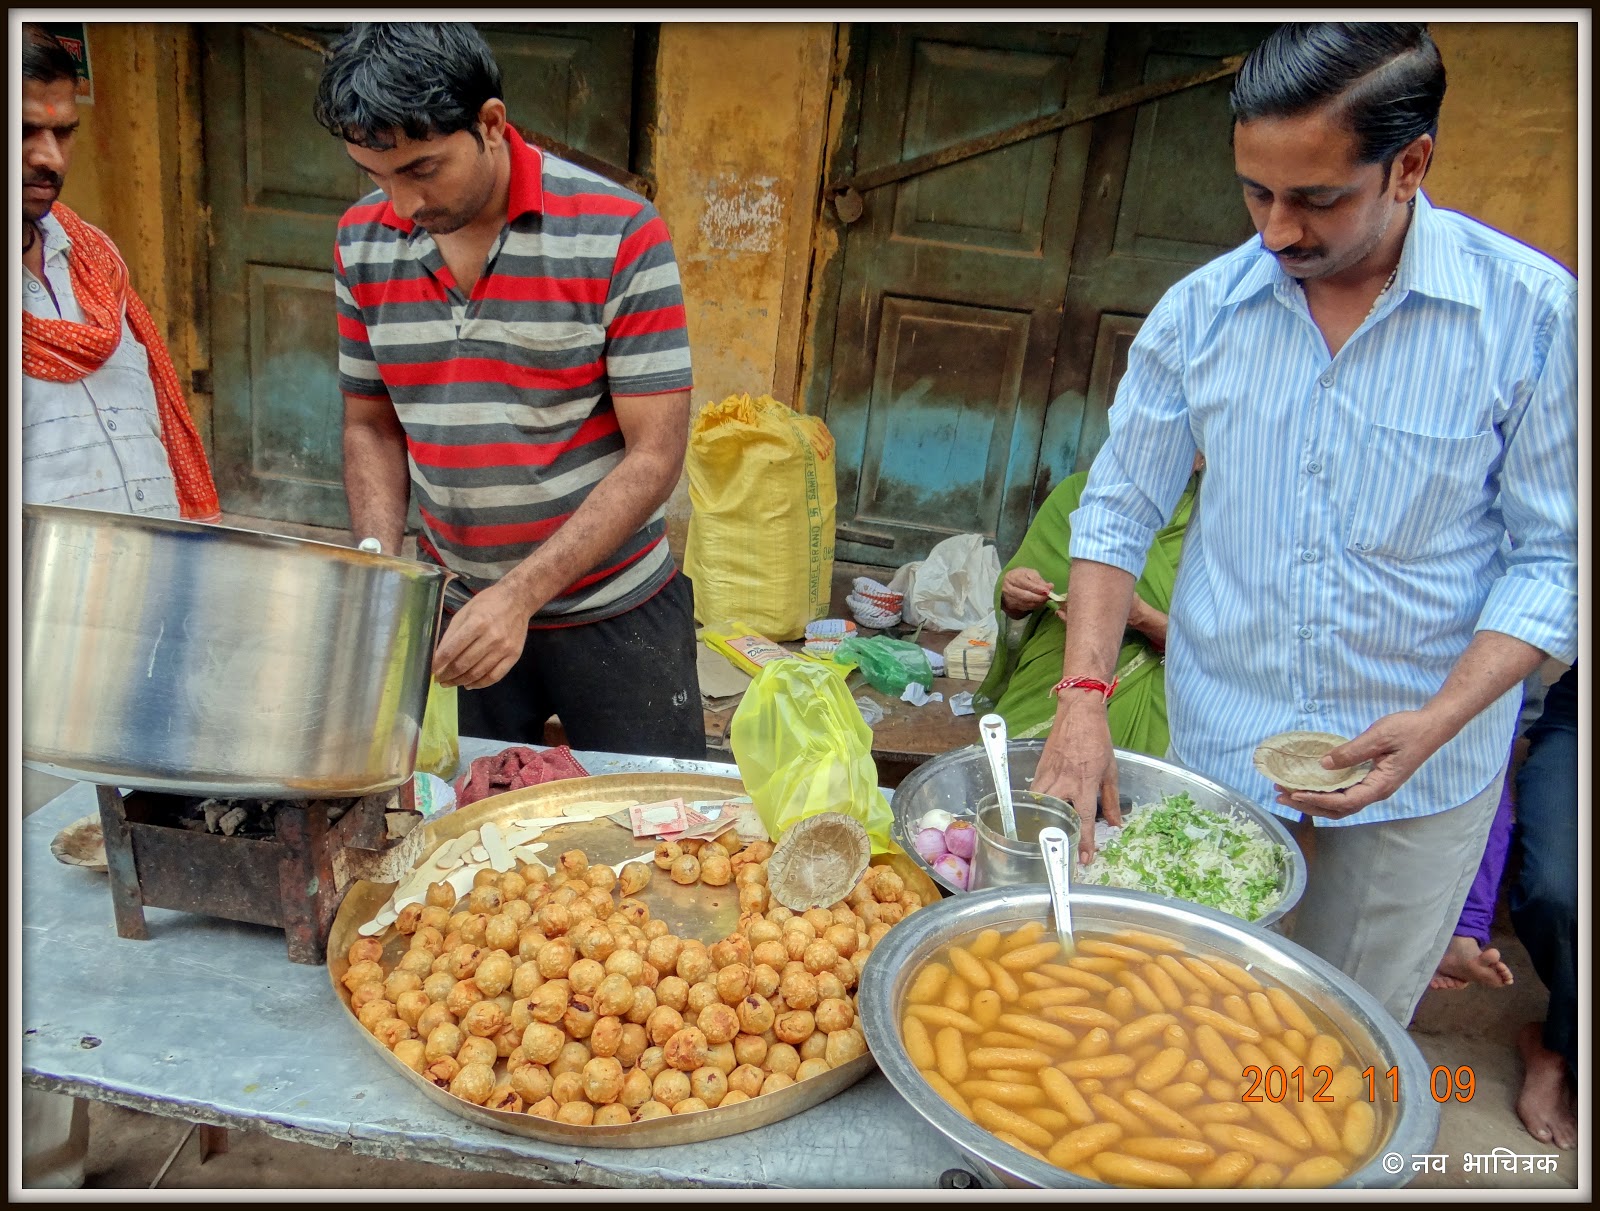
183,657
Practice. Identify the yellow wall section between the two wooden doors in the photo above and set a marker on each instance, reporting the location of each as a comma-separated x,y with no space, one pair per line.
740,126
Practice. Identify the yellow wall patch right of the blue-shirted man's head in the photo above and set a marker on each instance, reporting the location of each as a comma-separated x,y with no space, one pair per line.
1508,135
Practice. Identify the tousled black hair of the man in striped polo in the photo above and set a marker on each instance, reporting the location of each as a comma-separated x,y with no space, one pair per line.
417,78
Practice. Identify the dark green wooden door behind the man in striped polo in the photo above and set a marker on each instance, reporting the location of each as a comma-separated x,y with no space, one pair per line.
278,185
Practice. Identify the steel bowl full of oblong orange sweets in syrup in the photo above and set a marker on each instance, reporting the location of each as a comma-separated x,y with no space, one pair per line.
1174,1047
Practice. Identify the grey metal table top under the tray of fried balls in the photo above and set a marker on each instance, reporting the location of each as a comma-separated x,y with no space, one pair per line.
210,1023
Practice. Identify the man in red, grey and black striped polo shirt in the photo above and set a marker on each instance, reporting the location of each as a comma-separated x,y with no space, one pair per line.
513,348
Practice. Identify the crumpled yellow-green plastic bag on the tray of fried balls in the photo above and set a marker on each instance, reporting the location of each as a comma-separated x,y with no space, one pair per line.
802,749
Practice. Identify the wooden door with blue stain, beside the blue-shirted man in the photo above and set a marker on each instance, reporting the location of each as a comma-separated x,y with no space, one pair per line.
985,311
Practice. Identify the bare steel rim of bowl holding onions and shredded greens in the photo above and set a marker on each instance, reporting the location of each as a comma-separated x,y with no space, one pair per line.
958,780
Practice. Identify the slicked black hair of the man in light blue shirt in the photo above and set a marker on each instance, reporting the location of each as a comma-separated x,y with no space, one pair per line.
1385,79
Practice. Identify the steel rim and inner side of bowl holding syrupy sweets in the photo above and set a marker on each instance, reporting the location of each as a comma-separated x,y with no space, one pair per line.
1406,1127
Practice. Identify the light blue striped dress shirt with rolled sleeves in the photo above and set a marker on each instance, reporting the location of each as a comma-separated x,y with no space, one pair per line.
1361,516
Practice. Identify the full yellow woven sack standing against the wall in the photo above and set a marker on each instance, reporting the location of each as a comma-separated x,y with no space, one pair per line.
761,543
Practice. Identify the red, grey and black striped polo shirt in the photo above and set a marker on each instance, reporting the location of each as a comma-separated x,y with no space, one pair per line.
506,396
